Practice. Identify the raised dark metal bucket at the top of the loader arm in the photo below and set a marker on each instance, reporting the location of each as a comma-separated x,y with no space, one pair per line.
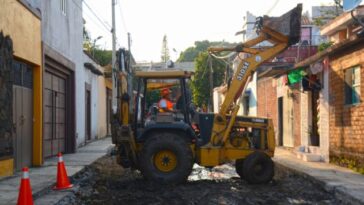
288,24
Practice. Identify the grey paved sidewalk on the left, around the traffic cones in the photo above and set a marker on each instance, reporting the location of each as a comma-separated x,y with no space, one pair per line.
43,178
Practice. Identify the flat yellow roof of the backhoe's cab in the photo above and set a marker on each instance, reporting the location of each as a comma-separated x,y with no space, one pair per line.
163,74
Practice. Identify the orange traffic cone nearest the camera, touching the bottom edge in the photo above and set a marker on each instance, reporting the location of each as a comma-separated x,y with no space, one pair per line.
25,192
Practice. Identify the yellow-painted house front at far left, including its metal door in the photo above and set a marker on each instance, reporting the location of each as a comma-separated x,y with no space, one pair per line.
21,86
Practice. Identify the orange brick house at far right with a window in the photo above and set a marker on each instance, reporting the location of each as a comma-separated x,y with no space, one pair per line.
340,110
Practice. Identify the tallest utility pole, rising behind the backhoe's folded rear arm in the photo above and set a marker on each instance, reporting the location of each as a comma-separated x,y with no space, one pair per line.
113,61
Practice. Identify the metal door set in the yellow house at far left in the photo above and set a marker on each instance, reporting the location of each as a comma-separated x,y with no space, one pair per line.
22,114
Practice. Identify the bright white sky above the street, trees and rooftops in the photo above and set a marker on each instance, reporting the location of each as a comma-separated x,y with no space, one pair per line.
183,21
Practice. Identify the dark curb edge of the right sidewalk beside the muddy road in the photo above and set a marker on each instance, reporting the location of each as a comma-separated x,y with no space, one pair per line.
339,192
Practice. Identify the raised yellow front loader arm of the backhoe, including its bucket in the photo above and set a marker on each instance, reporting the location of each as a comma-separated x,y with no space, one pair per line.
281,32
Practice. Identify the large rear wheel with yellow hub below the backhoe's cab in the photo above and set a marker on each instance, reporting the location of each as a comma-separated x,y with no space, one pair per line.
166,158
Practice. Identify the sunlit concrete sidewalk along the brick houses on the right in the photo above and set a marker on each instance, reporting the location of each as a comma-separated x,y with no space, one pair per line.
344,183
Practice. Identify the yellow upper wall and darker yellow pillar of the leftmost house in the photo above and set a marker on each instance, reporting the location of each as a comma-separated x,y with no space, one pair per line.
24,28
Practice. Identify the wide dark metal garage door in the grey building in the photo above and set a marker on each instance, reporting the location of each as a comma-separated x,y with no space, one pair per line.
54,114
